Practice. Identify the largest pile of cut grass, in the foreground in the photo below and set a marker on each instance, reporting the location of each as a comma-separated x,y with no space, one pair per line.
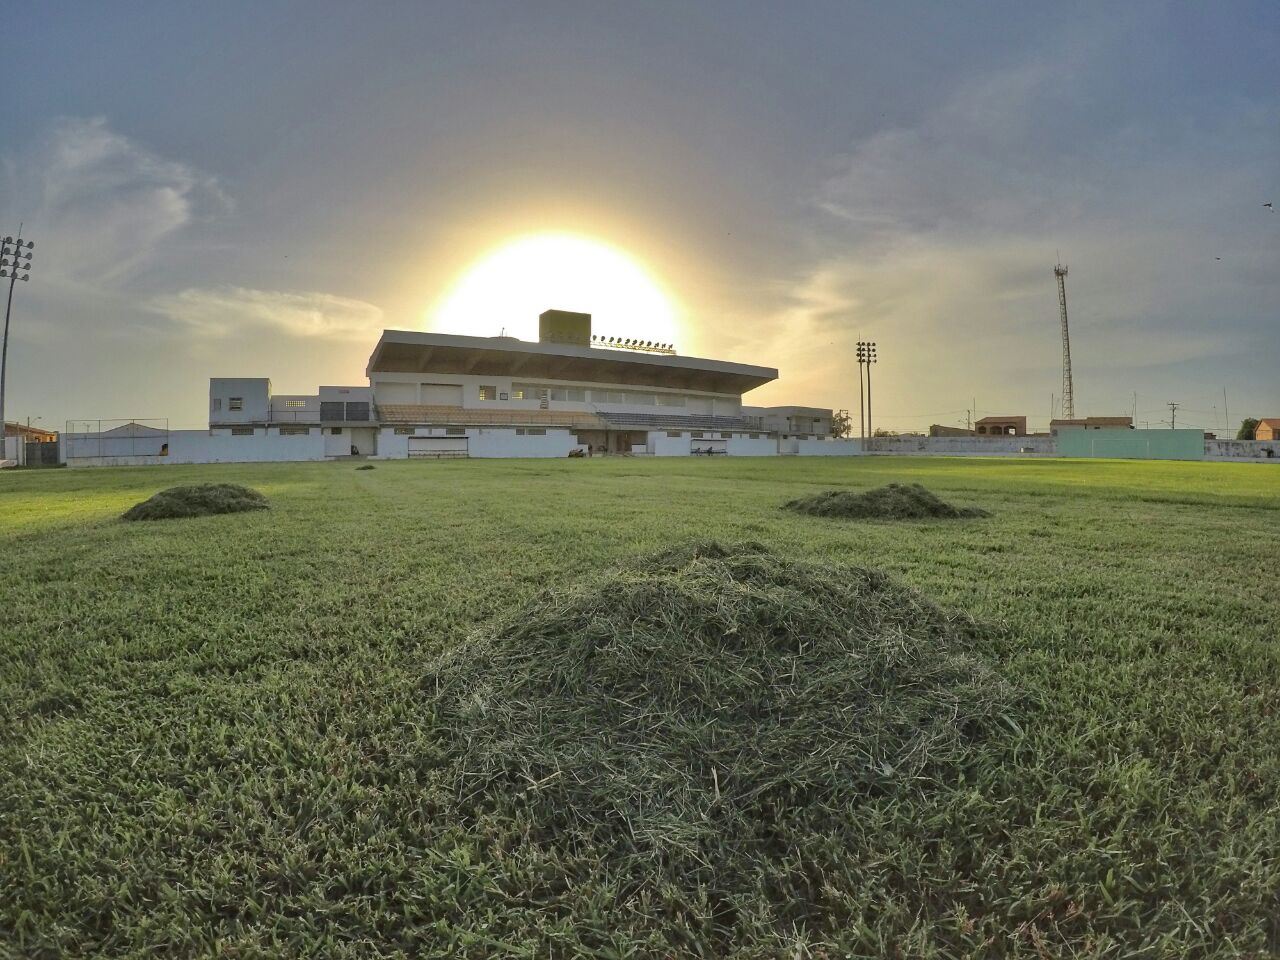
682,729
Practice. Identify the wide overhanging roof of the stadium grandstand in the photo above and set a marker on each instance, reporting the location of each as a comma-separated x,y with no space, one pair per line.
409,353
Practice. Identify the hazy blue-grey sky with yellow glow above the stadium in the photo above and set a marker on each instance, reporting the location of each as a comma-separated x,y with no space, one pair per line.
259,189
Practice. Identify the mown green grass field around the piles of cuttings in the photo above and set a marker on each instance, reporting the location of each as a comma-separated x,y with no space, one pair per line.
213,738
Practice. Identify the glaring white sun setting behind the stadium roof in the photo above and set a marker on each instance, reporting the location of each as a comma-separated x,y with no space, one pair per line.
510,286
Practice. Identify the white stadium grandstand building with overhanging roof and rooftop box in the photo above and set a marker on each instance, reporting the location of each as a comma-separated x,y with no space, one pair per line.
435,395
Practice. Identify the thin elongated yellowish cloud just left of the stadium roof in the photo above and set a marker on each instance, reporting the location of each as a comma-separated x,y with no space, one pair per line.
232,312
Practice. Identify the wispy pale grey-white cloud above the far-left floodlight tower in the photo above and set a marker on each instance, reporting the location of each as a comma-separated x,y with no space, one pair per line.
107,203
